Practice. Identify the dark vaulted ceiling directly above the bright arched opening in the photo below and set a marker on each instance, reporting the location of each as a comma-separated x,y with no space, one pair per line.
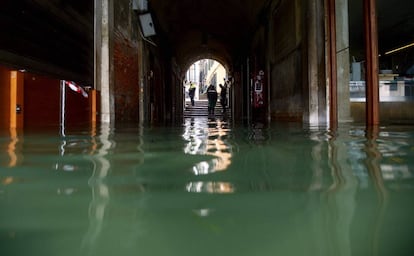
208,29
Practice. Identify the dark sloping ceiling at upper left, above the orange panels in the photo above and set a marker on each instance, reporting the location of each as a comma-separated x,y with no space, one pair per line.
54,37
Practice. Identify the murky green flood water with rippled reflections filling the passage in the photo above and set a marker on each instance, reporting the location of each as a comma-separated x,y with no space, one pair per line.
208,187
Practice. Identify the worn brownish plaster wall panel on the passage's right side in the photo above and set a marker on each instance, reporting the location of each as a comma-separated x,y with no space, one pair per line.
286,61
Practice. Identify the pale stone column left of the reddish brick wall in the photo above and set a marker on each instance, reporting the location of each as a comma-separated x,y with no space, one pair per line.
103,61
